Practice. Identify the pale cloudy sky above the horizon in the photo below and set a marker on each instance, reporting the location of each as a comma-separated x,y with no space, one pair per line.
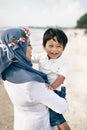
63,13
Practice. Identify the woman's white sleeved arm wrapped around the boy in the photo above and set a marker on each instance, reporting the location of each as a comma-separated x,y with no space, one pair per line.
41,94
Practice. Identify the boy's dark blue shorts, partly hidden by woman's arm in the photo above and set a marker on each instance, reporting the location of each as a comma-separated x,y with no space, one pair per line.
56,118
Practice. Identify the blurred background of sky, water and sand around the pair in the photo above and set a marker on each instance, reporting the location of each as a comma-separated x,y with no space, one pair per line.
69,15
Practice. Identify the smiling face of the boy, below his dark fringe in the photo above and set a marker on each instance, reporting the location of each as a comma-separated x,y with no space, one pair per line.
54,49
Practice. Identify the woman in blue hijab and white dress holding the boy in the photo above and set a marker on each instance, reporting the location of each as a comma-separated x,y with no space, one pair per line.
26,86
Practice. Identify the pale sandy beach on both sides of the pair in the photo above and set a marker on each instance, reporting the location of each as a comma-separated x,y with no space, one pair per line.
76,53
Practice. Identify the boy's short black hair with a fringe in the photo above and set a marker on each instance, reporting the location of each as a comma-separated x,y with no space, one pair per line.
51,33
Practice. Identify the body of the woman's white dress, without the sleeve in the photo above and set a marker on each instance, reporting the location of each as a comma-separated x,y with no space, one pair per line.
29,113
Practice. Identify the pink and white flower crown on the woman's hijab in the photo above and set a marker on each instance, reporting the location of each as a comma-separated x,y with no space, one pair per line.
14,41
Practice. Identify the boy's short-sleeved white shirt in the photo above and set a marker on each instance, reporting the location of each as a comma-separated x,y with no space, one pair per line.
51,67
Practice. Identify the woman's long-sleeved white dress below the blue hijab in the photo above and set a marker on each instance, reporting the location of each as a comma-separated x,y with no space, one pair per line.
30,102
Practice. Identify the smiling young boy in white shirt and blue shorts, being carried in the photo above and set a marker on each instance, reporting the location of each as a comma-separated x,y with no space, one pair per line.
55,66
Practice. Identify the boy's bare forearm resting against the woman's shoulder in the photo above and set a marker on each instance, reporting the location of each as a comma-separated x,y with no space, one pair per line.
57,82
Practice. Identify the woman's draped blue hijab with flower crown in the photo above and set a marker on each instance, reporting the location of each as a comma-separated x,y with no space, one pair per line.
20,70
